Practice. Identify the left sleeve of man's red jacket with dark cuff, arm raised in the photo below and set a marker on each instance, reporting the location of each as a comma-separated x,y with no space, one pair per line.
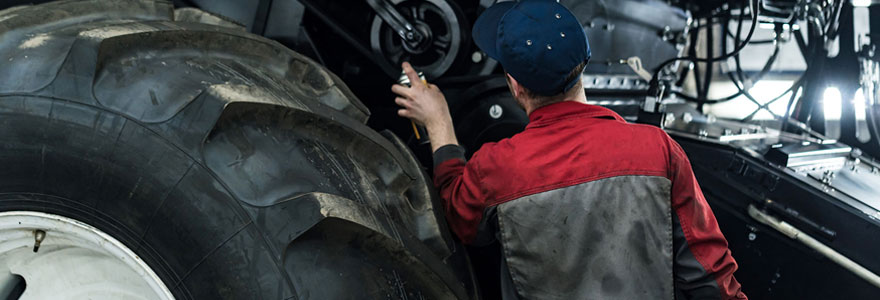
458,182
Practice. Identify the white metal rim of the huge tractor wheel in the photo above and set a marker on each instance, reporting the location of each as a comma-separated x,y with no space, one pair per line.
74,261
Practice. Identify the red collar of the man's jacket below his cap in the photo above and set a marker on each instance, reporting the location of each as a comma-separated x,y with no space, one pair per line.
568,110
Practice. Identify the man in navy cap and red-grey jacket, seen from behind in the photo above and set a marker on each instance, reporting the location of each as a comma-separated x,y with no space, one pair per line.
585,205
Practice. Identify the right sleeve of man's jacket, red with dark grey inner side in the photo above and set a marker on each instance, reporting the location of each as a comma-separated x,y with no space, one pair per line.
703,264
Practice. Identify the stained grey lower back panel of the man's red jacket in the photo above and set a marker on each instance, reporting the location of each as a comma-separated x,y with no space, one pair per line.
606,239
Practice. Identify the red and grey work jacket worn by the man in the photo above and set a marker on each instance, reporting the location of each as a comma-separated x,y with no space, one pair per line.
587,206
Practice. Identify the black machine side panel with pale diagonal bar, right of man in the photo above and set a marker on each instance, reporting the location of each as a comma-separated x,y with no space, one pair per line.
772,265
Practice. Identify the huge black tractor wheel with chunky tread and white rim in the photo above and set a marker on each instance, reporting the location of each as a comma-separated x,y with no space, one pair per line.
145,157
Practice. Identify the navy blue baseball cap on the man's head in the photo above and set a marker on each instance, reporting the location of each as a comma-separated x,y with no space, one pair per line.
538,42
